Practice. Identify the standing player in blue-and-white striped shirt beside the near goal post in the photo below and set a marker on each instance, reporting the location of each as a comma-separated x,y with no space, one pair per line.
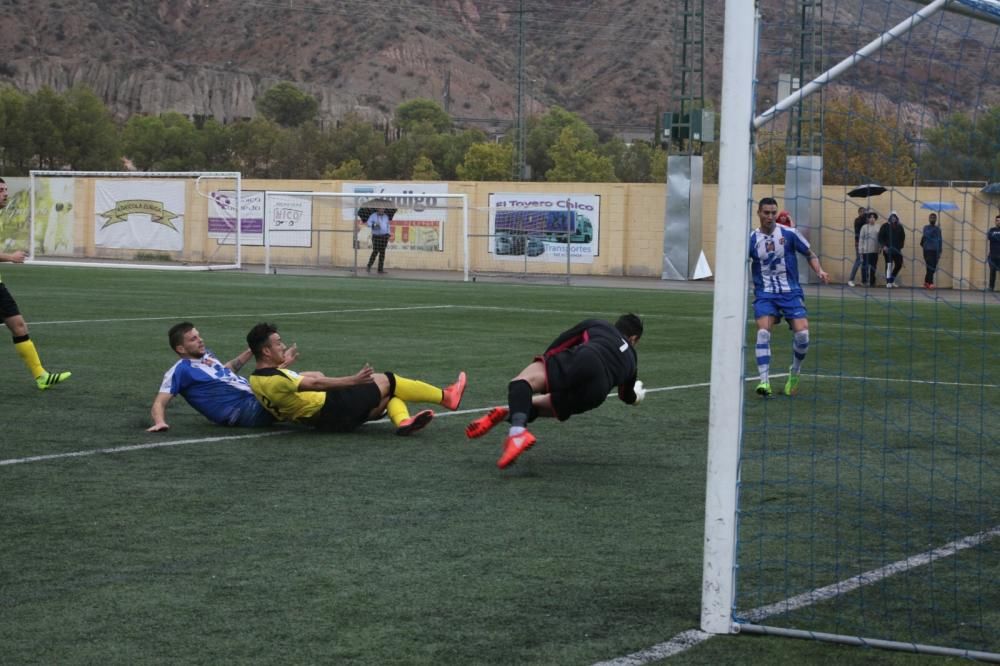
777,292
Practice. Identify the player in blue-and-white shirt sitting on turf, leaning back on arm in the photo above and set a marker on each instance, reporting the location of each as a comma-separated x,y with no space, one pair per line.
213,388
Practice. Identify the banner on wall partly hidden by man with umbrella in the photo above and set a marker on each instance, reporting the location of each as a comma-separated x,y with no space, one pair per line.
417,223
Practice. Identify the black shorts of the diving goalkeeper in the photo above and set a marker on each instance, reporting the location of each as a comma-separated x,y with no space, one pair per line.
576,380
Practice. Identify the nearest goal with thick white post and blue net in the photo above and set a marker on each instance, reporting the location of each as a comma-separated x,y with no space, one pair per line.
863,507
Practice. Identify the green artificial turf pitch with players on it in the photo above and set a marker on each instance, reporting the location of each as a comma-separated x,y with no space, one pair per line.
212,545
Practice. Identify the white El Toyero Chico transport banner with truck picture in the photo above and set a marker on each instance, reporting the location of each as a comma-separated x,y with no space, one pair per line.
543,226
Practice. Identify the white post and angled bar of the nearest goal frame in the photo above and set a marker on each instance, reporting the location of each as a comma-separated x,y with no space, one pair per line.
726,395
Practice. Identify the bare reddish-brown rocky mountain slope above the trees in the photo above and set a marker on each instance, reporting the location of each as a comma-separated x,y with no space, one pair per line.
615,62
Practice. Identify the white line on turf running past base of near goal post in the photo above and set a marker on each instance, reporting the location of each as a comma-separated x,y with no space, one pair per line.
692,637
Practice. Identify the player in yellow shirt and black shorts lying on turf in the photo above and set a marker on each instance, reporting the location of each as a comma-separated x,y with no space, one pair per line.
340,404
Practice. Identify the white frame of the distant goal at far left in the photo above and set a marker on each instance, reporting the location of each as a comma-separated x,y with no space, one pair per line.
197,175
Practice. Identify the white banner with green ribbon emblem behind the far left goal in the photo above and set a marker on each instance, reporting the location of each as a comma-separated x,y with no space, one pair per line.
139,214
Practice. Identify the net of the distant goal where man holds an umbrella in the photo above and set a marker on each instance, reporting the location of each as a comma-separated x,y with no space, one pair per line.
428,228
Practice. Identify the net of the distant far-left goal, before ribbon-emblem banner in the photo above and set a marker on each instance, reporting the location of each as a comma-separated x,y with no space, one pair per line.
162,220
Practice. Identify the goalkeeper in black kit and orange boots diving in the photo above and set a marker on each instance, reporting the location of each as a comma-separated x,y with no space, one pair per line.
573,376
